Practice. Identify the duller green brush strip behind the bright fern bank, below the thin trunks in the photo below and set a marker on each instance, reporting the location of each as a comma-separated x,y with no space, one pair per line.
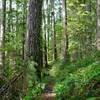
61,69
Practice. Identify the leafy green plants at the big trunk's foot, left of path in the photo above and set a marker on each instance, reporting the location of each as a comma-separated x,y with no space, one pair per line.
35,87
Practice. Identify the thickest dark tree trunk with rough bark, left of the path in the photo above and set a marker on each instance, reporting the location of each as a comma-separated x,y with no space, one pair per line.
34,34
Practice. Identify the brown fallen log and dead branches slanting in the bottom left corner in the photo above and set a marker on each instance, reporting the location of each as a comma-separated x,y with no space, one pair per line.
11,86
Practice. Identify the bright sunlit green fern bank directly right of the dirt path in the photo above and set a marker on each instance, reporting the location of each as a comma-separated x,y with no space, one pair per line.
80,84
